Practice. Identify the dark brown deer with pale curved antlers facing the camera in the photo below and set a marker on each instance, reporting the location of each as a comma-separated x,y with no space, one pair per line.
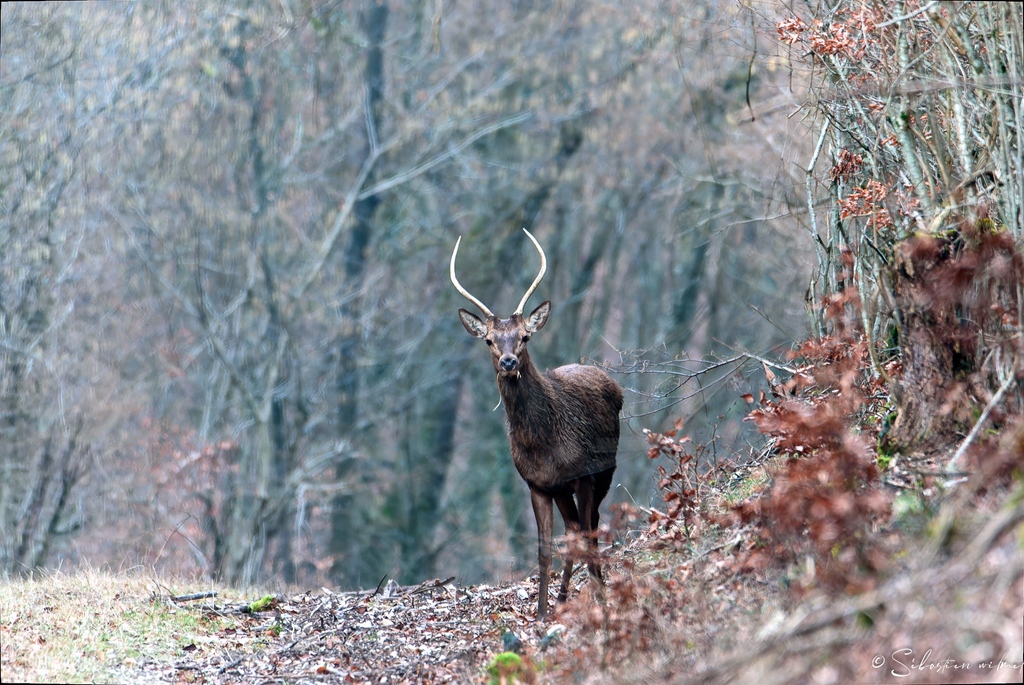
563,427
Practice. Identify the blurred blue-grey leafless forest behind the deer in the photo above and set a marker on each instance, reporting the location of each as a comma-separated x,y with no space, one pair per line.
229,342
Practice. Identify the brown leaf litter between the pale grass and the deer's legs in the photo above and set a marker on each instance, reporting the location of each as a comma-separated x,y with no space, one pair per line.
435,632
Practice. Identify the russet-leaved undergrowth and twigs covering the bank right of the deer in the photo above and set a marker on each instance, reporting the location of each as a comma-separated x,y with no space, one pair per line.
717,581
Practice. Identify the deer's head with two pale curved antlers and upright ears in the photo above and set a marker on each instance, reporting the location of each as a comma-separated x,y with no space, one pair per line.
505,337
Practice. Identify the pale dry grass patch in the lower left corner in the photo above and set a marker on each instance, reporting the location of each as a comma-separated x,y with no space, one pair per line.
93,626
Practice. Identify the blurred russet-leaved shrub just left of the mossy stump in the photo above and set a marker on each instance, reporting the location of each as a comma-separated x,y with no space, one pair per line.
828,495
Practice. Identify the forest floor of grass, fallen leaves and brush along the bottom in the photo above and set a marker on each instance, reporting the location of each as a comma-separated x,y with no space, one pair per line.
949,608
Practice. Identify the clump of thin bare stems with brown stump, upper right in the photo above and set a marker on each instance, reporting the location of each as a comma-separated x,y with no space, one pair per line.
919,157
